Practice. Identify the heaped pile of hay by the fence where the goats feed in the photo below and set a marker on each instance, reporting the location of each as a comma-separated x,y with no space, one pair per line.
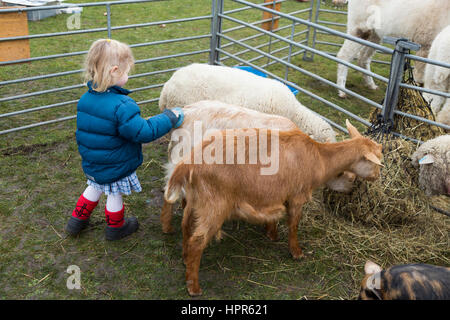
395,198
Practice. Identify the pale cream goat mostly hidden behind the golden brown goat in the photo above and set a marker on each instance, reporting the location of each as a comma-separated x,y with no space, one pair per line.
201,116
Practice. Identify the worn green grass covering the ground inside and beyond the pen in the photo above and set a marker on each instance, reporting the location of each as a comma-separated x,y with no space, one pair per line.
41,179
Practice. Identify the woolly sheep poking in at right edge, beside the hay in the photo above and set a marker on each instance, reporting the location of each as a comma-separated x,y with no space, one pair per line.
433,160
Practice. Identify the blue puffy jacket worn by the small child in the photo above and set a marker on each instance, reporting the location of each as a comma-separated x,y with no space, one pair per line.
110,132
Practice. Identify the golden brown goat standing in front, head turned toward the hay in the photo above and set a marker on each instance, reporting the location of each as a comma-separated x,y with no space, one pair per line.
215,192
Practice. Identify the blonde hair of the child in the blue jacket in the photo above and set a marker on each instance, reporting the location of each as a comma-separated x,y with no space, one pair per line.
103,55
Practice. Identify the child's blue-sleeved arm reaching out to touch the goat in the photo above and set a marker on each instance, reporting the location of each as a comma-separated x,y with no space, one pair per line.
133,127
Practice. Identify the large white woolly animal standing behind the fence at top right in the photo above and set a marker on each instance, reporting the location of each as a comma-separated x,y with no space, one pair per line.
417,20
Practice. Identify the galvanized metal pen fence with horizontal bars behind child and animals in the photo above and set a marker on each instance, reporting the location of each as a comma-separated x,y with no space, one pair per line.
216,48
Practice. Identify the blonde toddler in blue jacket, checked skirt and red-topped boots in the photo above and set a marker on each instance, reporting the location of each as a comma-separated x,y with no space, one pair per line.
109,135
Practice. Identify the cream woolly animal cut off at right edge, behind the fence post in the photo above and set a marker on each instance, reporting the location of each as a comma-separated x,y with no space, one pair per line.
438,78
